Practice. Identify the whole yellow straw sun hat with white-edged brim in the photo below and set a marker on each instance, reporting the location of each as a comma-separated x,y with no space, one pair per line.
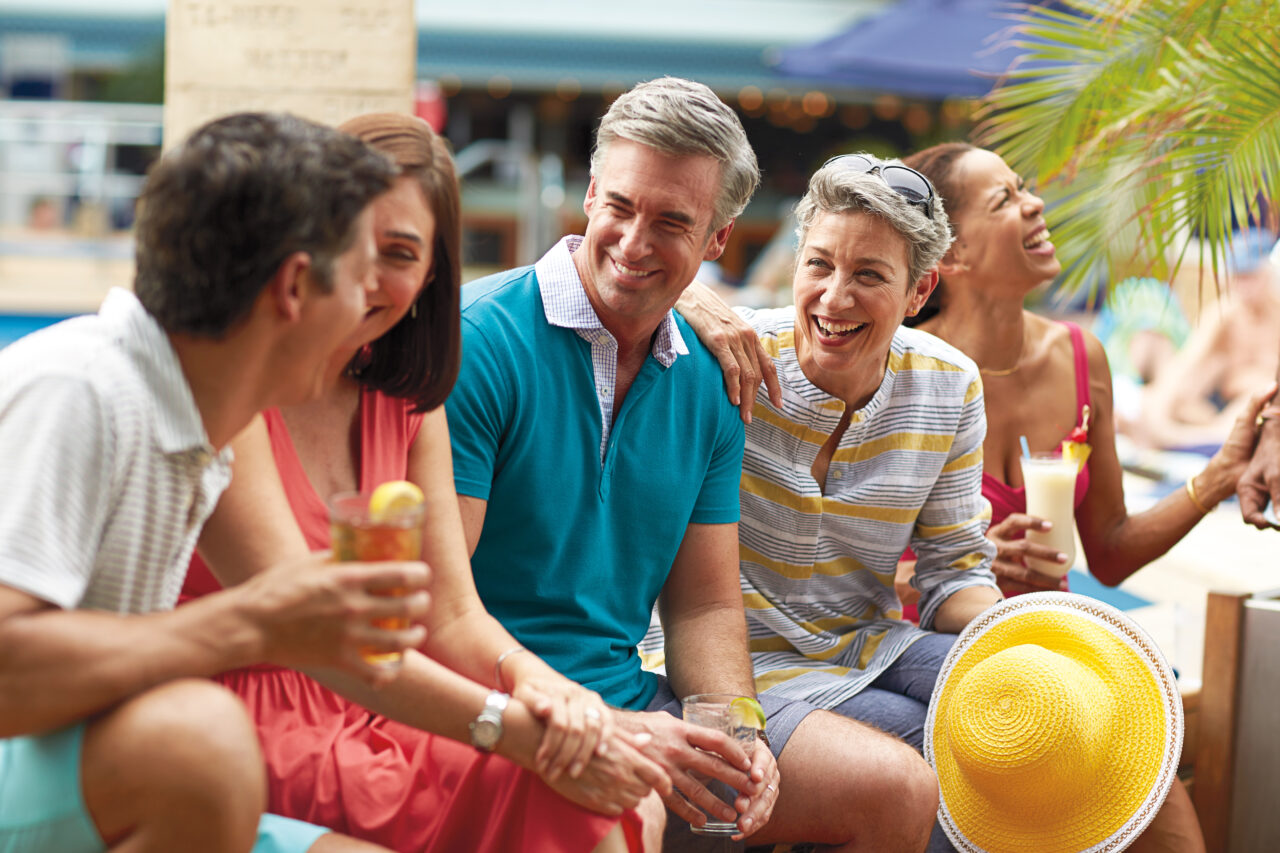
1055,727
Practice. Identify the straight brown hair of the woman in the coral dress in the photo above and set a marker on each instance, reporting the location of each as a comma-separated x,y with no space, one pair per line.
418,359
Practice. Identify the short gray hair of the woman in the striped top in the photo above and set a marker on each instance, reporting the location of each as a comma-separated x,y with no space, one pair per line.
838,189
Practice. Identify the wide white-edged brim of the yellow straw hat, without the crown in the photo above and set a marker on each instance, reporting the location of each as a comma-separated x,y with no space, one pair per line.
1132,777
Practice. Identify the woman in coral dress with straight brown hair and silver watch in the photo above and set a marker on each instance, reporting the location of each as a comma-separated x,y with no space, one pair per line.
391,764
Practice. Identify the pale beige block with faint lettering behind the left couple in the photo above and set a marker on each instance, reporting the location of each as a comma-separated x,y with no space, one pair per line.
322,60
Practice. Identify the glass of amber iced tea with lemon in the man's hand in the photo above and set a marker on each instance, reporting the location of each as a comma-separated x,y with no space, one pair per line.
356,536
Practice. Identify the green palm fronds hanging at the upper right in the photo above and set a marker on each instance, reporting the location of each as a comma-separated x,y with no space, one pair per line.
1148,124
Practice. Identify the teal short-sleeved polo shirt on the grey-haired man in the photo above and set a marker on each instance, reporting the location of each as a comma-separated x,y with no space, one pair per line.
575,551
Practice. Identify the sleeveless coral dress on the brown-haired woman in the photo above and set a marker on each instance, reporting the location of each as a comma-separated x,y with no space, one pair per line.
335,764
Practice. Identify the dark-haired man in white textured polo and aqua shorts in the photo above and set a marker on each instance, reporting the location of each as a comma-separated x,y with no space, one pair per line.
255,253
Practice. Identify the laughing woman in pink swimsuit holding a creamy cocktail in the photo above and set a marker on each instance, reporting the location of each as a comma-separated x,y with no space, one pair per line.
1041,377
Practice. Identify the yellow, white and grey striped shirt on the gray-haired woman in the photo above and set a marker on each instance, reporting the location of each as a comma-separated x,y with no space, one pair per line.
817,569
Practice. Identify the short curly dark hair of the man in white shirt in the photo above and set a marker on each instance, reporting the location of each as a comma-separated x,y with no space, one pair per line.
220,215
